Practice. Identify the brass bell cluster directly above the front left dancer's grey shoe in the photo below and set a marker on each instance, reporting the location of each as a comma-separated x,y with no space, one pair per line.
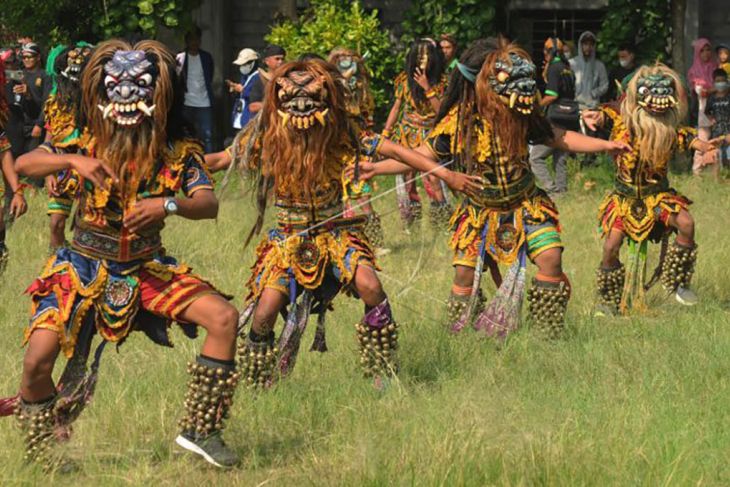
209,398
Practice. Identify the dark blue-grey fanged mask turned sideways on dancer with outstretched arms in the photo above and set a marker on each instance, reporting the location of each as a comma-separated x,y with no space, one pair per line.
514,82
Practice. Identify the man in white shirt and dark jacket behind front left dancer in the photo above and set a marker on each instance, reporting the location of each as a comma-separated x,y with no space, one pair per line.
196,71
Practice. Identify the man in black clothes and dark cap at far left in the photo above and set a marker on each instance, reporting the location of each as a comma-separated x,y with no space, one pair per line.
27,96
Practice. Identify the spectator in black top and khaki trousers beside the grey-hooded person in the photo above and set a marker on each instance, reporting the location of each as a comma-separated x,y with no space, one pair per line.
559,87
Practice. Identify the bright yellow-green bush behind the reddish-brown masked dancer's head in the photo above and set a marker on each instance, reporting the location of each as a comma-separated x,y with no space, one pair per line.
337,23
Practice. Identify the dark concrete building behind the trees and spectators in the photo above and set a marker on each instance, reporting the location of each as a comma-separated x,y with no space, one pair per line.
230,25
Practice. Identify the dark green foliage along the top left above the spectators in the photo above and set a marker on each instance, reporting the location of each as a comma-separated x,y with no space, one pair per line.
93,20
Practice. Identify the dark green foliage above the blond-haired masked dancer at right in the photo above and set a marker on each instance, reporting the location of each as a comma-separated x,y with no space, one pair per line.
646,24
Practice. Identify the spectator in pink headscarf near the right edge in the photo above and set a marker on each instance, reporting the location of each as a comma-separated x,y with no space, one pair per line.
700,82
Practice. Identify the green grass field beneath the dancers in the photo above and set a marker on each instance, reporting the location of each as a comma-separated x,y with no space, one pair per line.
640,400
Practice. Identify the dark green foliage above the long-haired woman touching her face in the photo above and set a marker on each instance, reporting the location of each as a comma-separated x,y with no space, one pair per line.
466,20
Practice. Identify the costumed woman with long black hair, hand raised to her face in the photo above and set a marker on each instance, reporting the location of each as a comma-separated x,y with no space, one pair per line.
418,94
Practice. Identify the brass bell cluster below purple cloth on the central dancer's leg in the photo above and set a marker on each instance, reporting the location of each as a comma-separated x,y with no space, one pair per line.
378,349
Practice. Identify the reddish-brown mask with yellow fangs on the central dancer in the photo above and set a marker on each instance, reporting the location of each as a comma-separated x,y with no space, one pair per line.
302,98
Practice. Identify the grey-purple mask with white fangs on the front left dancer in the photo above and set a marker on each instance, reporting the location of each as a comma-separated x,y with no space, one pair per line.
129,85
